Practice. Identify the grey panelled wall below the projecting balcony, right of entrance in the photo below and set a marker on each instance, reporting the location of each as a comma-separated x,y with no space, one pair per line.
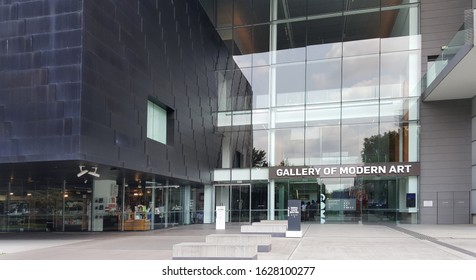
445,156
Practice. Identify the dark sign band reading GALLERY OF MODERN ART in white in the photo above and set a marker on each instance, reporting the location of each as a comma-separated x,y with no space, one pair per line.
389,169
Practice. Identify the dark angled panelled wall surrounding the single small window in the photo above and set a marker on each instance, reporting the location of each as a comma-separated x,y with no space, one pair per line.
135,50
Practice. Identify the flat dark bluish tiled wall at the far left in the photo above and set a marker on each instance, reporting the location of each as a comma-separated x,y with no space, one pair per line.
40,55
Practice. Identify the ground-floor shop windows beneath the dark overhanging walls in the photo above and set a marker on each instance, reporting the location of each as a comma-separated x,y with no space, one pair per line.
99,205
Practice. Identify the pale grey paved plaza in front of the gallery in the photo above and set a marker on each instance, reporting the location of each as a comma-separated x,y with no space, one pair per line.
319,242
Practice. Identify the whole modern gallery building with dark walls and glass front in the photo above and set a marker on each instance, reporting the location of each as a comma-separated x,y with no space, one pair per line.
138,115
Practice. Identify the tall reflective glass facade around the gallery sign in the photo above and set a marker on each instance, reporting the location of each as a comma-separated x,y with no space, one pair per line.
318,83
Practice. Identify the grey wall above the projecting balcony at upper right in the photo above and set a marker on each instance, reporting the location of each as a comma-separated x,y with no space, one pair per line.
440,20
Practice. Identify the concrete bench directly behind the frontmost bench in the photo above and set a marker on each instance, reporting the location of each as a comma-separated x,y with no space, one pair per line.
262,241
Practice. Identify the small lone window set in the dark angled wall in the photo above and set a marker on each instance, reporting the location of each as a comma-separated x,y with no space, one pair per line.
156,122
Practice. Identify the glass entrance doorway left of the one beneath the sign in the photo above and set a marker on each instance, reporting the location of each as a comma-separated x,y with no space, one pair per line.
236,199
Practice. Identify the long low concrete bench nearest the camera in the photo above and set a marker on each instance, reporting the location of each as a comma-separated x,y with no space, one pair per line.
210,251
